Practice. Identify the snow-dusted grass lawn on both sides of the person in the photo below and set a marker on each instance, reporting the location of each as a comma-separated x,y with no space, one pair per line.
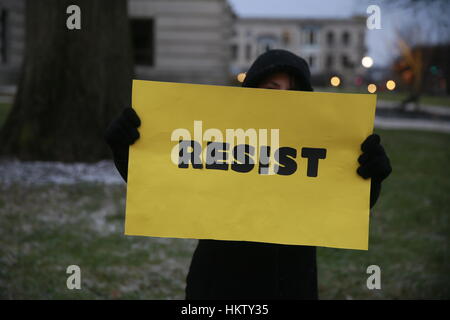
46,228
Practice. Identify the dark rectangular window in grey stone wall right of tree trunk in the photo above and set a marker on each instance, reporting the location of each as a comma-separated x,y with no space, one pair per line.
142,30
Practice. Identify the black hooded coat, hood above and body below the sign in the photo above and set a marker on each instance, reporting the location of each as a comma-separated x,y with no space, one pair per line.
253,270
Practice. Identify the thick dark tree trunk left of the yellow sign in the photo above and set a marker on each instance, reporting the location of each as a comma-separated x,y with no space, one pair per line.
73,81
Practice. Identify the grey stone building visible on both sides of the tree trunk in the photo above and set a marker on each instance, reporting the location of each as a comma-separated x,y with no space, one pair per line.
173,40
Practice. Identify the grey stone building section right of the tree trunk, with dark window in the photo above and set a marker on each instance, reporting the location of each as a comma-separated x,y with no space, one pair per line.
182,40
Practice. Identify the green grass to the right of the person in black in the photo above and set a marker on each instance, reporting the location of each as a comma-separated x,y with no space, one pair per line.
409,227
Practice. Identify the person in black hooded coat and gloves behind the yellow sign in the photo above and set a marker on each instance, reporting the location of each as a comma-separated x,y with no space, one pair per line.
255,270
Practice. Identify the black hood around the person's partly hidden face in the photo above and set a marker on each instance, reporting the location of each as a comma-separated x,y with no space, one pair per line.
276,61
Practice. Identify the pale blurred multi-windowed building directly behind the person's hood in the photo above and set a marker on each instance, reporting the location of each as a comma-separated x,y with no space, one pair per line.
332,47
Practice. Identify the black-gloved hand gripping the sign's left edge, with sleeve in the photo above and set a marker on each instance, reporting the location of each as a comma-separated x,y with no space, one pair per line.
121,133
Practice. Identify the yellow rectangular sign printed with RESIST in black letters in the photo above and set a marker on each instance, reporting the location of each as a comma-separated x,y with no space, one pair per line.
230,163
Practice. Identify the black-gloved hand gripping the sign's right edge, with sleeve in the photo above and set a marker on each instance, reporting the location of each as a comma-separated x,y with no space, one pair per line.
374,164
